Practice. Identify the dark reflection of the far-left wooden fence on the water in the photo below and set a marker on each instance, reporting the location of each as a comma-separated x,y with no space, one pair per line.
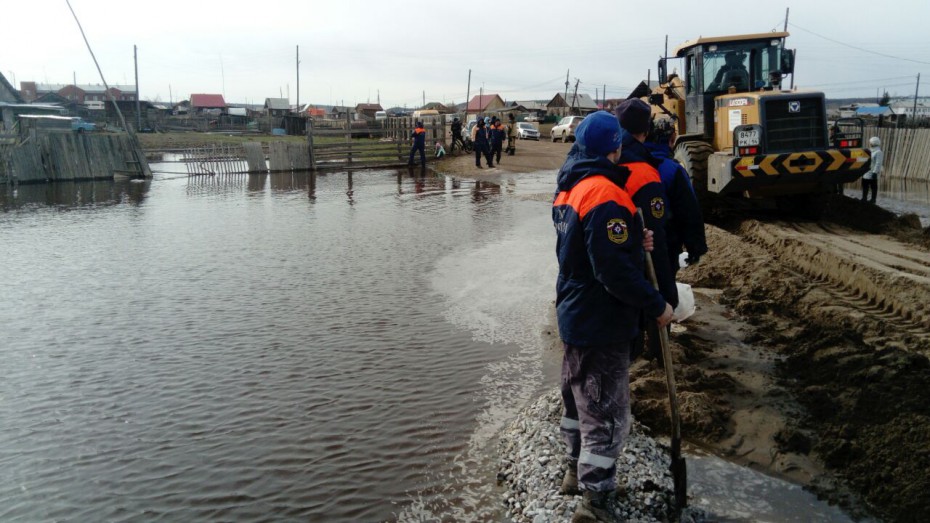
75,194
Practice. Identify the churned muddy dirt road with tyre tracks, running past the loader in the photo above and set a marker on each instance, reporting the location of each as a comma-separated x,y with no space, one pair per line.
808,357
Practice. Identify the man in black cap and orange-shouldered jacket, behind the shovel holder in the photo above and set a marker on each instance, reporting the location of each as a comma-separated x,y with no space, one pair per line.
645,188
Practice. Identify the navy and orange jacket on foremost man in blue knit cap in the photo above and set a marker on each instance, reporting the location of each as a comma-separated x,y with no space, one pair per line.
601,290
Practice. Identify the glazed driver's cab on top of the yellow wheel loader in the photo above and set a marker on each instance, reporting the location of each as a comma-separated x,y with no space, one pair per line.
720,65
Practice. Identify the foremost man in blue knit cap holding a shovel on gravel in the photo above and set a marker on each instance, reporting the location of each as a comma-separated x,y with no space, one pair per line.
601,292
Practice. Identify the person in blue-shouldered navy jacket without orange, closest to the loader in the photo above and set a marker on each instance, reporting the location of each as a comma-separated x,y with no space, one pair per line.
684,228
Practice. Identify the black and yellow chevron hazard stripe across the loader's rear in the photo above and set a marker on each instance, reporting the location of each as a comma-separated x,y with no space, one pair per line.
807,162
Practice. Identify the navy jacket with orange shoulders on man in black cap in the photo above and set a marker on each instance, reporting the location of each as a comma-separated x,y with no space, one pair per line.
645,188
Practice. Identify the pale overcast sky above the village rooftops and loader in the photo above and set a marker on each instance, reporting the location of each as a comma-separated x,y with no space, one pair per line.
352,51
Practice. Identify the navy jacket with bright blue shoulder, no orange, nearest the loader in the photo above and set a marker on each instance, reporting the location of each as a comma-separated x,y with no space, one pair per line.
685,225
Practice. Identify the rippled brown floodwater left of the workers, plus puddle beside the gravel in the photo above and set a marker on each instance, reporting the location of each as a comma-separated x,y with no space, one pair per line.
342,347
